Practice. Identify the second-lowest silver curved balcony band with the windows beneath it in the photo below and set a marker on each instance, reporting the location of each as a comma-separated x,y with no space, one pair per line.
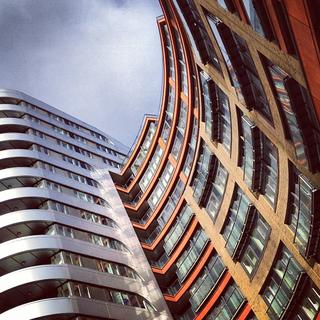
49,281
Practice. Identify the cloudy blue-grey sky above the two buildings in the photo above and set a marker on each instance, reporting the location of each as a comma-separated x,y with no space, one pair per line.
98,60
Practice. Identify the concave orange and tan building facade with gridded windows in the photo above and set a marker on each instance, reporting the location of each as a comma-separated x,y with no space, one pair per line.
223,187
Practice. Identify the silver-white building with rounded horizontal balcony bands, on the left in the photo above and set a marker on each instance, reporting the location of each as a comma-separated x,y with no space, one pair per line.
68,248
